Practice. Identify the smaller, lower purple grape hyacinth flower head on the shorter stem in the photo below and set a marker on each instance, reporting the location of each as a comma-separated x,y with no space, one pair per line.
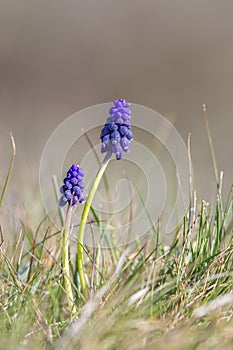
72,189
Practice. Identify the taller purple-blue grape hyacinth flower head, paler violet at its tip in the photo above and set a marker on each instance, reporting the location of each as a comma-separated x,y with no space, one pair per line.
116,133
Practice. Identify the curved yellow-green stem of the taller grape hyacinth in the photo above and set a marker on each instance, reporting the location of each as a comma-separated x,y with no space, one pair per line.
82,227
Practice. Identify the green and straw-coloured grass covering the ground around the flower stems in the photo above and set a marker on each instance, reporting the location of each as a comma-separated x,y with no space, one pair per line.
150,296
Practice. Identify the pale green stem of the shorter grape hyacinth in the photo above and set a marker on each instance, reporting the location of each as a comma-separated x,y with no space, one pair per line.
65,260
